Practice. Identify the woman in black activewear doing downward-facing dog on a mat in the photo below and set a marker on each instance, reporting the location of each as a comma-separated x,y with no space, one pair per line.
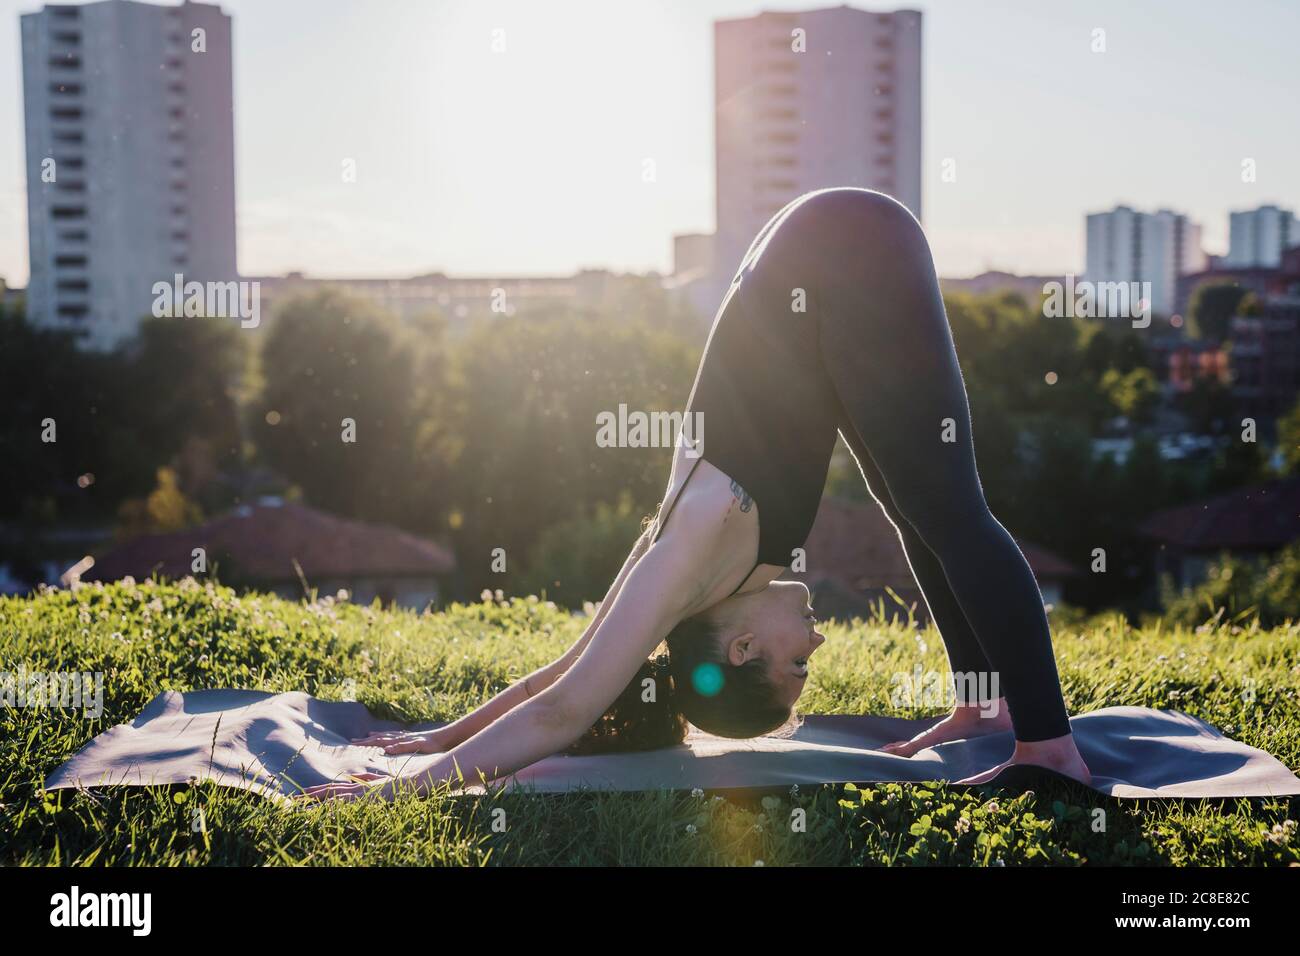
834,325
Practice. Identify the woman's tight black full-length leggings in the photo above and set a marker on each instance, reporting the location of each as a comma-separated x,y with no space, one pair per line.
889,352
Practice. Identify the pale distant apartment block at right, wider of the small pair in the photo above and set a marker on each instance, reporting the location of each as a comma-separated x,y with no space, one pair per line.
1129,246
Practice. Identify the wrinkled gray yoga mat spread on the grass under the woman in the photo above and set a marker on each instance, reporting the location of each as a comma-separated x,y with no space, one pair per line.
278,743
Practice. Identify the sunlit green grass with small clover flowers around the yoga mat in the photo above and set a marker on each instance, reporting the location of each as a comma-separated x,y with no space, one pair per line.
151,638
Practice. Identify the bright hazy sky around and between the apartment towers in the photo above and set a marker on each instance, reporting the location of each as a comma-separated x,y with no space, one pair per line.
530,162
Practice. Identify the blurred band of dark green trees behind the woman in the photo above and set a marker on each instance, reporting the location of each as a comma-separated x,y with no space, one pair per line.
486,439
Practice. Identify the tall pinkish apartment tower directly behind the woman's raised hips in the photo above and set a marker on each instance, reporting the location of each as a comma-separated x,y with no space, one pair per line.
808,101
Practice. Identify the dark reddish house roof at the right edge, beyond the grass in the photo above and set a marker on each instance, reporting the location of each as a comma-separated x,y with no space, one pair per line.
1260,517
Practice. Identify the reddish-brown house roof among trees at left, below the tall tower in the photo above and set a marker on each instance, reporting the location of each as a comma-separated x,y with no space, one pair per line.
261,543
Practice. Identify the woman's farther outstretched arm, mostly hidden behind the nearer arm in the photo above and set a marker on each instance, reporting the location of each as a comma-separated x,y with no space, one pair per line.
460,732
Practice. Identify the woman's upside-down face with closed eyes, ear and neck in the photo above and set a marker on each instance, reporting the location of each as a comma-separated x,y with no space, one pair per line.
775,625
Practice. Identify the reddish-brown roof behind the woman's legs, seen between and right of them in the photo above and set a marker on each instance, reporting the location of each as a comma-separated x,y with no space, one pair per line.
855,544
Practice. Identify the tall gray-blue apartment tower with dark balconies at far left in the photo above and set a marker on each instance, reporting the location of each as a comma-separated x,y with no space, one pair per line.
131,159
